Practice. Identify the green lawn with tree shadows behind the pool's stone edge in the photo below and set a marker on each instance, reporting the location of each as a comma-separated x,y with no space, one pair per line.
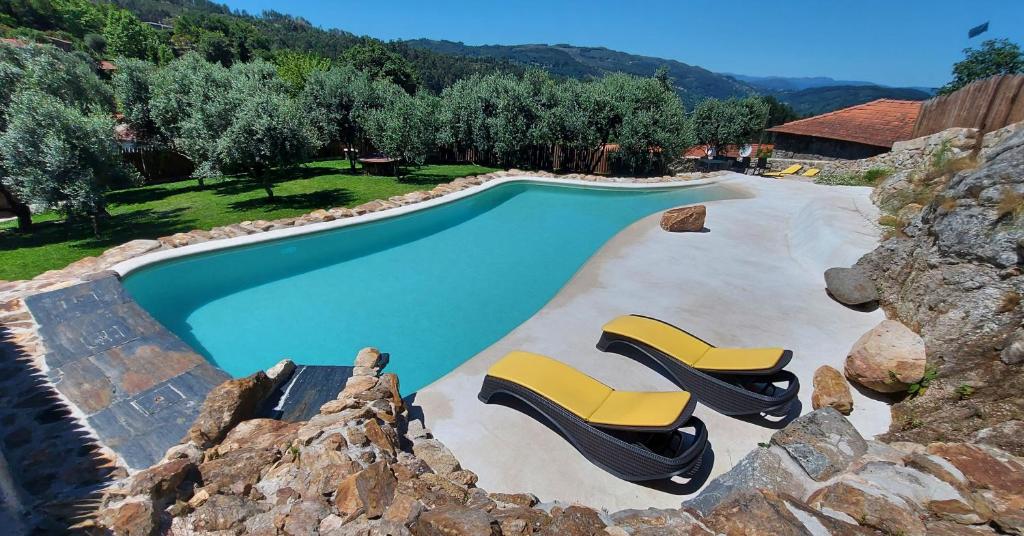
164,210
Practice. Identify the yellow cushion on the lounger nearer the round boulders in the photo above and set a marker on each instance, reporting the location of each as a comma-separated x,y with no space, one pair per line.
692,351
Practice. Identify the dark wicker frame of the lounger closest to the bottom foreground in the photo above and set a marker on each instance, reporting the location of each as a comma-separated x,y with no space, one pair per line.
634,455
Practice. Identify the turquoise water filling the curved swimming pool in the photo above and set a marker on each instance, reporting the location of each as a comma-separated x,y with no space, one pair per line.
433,288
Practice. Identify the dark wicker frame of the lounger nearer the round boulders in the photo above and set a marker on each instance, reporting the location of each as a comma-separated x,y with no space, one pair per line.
747,393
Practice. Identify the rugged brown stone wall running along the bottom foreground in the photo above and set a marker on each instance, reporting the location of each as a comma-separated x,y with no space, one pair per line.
361,468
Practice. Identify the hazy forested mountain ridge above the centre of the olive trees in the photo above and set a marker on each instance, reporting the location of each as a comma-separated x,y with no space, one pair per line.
693,84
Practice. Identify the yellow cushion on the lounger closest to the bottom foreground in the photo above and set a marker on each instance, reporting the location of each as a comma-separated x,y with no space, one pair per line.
588,398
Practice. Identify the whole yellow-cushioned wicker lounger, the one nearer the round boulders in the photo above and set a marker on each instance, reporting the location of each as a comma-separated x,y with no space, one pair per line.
735,382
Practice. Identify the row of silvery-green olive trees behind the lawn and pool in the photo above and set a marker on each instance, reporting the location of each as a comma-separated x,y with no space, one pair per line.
261,119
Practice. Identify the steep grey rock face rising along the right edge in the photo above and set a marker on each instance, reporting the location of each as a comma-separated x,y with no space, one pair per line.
952,272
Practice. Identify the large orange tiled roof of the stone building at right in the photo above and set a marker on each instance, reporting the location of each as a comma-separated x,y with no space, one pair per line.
878,123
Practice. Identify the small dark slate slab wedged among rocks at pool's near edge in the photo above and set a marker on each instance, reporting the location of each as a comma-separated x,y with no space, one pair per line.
310,388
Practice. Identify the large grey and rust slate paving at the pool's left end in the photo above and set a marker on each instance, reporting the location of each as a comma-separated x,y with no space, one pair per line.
138,384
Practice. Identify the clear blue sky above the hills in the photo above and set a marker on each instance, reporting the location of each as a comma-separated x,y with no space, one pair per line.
894,43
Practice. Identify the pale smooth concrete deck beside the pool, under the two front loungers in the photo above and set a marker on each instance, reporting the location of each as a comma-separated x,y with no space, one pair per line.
755,278
